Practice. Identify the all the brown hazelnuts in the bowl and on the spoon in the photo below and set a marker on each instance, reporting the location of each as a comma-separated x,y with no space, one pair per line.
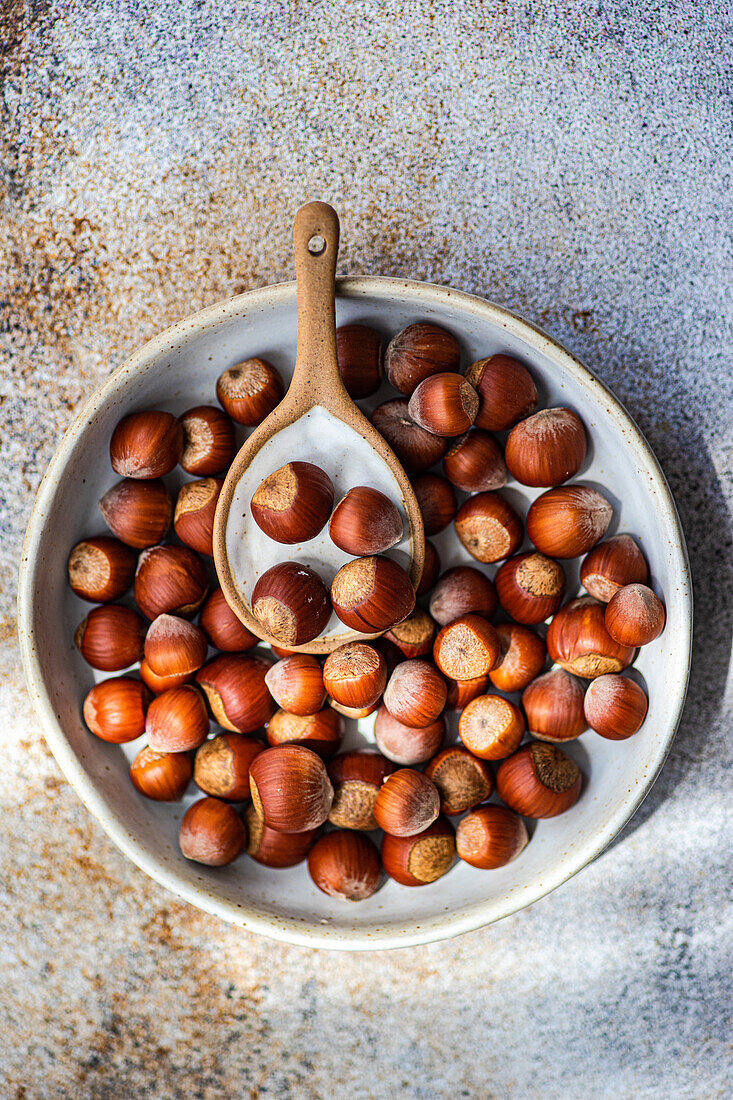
288,795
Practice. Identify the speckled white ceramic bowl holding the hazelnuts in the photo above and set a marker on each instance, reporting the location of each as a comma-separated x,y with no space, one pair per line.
179,369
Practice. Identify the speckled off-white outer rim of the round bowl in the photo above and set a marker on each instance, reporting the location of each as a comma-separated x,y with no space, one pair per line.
290,930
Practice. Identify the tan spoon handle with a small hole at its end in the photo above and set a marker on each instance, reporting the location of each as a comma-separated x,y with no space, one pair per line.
316,246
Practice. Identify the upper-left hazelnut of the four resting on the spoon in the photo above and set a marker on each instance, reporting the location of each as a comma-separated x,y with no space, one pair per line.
293,504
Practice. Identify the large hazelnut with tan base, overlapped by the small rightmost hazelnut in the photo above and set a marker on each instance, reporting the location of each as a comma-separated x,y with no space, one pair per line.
579,643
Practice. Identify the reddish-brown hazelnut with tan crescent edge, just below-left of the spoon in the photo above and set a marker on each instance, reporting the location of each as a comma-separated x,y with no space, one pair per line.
236,691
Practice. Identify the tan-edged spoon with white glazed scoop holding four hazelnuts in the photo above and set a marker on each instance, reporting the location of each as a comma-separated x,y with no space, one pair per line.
316,391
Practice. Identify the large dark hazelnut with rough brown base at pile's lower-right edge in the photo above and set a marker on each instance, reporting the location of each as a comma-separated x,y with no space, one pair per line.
539,782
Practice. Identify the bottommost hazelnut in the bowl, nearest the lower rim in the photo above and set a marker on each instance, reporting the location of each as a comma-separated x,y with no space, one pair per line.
345,865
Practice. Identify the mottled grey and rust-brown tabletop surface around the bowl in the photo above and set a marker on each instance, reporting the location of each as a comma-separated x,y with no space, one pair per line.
571,161
